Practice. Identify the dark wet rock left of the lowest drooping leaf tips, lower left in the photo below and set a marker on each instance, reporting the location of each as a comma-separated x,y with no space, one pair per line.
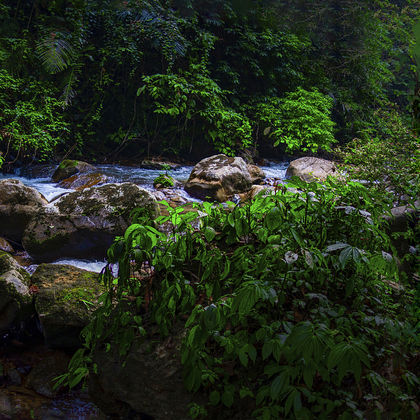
41,377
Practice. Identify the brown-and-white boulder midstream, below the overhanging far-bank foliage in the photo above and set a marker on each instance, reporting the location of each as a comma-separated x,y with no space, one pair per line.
218,178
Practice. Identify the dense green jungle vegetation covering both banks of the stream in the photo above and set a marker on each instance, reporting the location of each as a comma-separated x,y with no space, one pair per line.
297,304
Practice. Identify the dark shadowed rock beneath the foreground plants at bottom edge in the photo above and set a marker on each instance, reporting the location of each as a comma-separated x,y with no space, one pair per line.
148,380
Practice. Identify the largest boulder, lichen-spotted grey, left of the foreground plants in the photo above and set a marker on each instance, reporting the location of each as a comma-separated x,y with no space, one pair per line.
83,224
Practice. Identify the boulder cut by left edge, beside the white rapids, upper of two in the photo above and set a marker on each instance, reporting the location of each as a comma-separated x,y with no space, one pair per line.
18,205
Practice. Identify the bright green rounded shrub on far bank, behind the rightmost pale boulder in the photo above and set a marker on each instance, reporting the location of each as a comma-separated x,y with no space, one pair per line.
301,120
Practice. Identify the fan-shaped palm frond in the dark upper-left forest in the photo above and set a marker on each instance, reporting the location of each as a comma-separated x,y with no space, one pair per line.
56,54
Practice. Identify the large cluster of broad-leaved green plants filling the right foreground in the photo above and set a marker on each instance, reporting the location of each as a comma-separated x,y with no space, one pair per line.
292,305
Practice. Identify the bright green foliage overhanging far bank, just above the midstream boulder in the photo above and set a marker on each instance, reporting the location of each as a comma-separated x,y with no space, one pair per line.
194,99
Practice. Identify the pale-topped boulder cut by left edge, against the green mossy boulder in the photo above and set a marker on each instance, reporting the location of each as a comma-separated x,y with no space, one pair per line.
15,299
